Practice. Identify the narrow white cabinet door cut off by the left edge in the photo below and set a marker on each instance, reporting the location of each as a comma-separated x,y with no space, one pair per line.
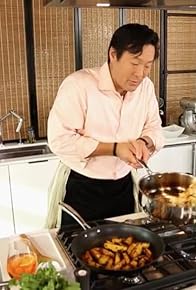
6,215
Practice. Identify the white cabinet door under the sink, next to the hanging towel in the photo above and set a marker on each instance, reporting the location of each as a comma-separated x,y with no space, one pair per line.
29,185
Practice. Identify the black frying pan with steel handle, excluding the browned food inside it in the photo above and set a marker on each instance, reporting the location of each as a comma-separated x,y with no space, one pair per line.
96,236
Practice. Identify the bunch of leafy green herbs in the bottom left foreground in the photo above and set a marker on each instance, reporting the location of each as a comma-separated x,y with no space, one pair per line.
44,279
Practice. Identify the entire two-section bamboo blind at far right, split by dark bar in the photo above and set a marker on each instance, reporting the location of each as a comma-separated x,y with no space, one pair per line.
181,56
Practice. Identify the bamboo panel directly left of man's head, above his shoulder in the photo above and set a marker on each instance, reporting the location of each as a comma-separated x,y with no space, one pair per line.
98,26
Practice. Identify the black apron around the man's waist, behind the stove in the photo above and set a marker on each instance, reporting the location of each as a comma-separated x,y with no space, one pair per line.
98,198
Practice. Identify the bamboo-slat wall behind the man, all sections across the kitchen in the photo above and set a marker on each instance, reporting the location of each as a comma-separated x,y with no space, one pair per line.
34,60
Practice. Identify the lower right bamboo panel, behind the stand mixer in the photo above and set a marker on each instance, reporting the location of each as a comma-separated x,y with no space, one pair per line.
179,86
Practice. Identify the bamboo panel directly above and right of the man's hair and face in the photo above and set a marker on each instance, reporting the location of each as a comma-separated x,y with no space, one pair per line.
152,19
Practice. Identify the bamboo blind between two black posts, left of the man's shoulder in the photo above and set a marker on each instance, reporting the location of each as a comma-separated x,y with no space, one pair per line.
54,55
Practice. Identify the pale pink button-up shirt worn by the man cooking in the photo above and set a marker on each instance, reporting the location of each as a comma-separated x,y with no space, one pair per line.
88,110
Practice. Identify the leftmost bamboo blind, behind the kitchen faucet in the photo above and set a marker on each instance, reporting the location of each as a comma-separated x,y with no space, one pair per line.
13,67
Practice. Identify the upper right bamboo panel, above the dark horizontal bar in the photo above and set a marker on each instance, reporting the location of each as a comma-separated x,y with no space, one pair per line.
181,43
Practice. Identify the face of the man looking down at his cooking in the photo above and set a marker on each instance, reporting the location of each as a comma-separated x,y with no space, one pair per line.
129,71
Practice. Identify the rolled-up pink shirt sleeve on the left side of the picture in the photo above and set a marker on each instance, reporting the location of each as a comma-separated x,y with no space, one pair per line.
66,124
